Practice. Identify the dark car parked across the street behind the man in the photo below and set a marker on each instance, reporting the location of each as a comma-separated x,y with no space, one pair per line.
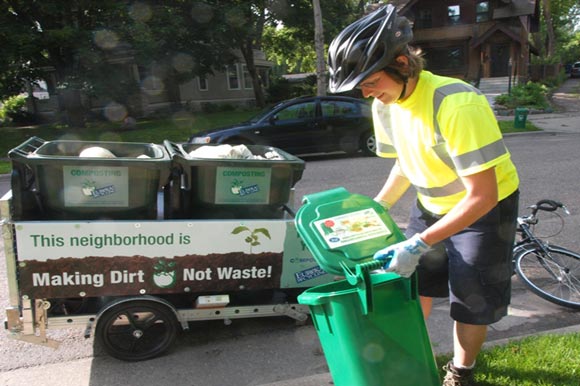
304,125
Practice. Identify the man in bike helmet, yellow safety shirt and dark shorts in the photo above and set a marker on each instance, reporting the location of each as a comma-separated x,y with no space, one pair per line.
448,146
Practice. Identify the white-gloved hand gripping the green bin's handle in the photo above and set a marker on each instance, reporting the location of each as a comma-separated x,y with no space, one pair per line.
402,258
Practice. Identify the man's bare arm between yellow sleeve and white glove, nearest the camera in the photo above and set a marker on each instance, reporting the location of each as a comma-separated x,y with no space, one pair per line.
480,198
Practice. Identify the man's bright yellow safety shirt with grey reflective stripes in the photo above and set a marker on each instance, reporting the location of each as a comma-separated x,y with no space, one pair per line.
444,130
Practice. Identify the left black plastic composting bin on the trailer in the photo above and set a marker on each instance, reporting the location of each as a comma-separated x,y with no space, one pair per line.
50,181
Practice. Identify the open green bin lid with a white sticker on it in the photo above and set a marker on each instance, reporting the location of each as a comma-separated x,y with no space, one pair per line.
340,228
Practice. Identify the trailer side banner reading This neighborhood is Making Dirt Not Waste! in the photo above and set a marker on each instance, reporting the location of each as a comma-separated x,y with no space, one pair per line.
70,259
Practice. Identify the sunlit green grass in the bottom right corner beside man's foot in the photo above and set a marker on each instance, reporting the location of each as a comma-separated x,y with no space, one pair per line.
543,360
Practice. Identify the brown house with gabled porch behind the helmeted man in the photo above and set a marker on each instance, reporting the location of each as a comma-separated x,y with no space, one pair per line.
473,39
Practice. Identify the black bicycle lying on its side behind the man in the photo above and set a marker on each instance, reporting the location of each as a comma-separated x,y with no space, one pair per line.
550,271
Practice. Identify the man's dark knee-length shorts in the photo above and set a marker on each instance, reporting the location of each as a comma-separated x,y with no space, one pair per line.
473,267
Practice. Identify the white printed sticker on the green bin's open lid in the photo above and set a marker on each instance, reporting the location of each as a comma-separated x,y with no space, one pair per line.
351,228
